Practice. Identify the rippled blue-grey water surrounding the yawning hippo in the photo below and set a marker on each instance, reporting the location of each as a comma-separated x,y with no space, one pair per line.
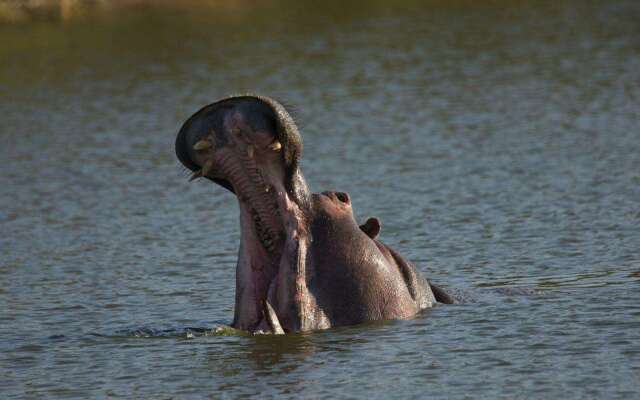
498,143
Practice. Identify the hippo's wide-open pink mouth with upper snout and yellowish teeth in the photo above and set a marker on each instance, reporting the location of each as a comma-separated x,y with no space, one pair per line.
242,147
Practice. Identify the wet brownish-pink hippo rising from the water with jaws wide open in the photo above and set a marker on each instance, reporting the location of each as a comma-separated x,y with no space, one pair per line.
304,263
